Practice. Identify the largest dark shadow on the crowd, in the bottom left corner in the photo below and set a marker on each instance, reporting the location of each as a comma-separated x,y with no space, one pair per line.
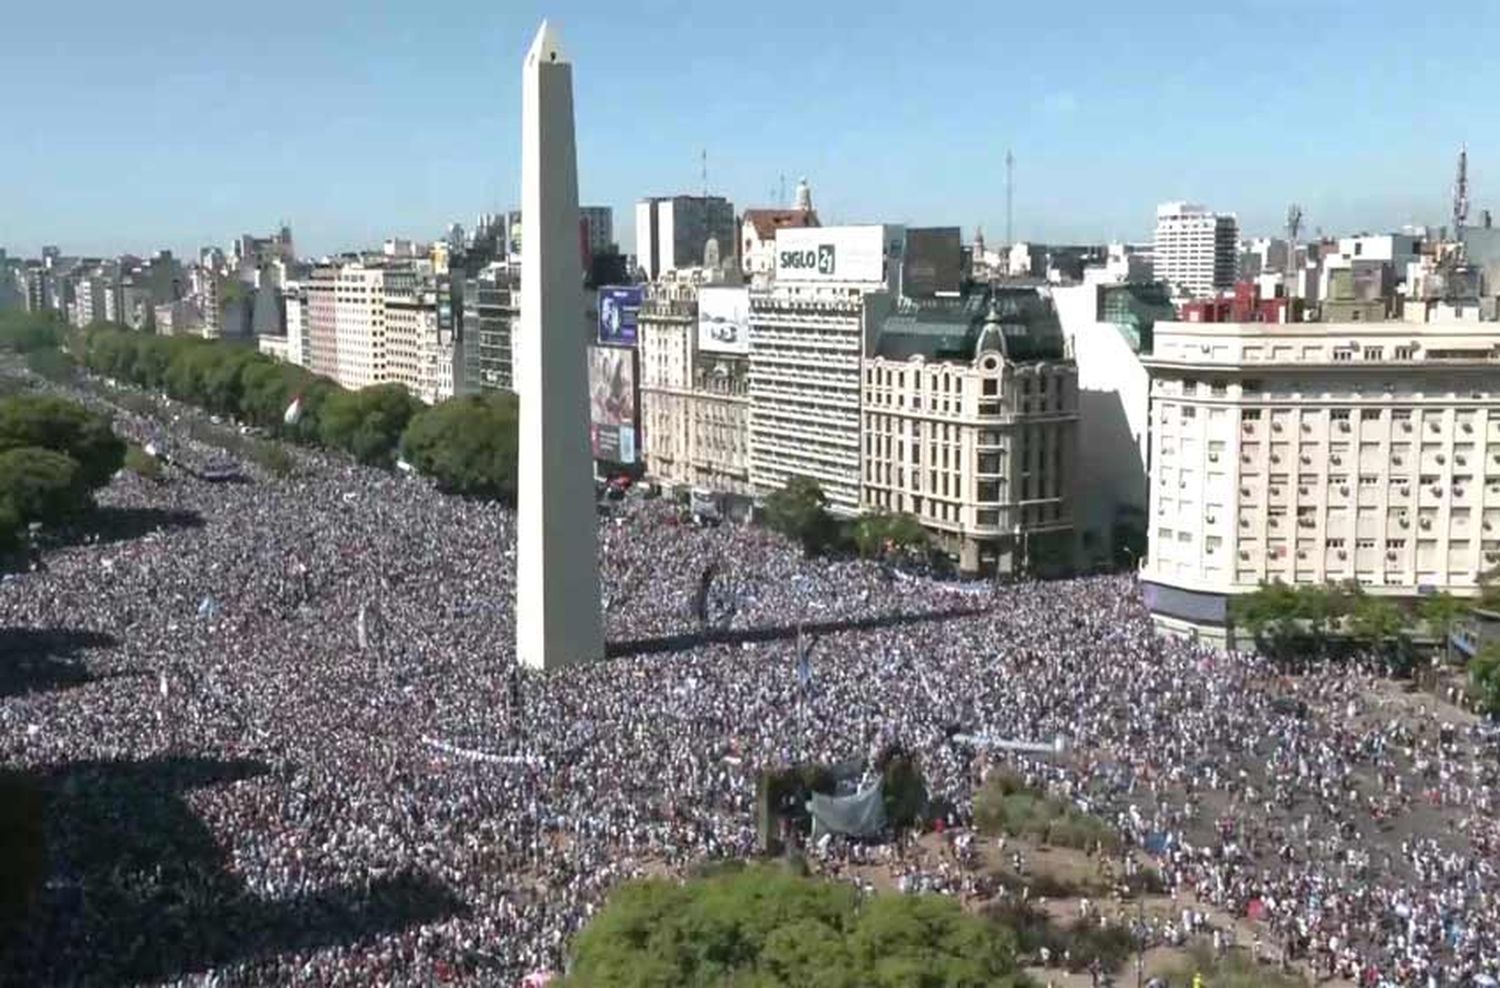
137,890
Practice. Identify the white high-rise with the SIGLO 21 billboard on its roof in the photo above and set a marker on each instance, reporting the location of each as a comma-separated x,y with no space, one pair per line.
809,332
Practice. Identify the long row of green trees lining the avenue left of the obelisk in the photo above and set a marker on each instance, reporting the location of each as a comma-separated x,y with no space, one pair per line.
467,445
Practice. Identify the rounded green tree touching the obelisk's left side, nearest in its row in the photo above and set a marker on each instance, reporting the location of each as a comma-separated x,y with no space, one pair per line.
469,446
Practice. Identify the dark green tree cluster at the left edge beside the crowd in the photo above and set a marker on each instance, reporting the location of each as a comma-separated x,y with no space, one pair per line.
53,457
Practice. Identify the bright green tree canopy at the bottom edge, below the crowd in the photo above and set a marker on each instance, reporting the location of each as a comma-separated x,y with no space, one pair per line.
764,926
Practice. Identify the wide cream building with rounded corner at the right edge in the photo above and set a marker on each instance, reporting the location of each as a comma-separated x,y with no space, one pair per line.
1316,454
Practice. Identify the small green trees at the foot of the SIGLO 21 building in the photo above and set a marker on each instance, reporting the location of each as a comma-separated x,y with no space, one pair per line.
800,512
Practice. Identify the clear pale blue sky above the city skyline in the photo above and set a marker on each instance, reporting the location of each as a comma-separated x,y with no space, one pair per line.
169,124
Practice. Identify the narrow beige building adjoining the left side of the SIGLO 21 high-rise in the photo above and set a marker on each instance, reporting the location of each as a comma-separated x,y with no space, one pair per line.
695,406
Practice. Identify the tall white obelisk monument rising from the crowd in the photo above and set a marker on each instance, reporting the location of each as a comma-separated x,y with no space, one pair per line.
557,546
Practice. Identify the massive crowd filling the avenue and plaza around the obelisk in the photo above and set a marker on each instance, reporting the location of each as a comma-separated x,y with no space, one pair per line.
305,756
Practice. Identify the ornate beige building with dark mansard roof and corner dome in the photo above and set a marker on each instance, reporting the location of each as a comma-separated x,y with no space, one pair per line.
971,413
